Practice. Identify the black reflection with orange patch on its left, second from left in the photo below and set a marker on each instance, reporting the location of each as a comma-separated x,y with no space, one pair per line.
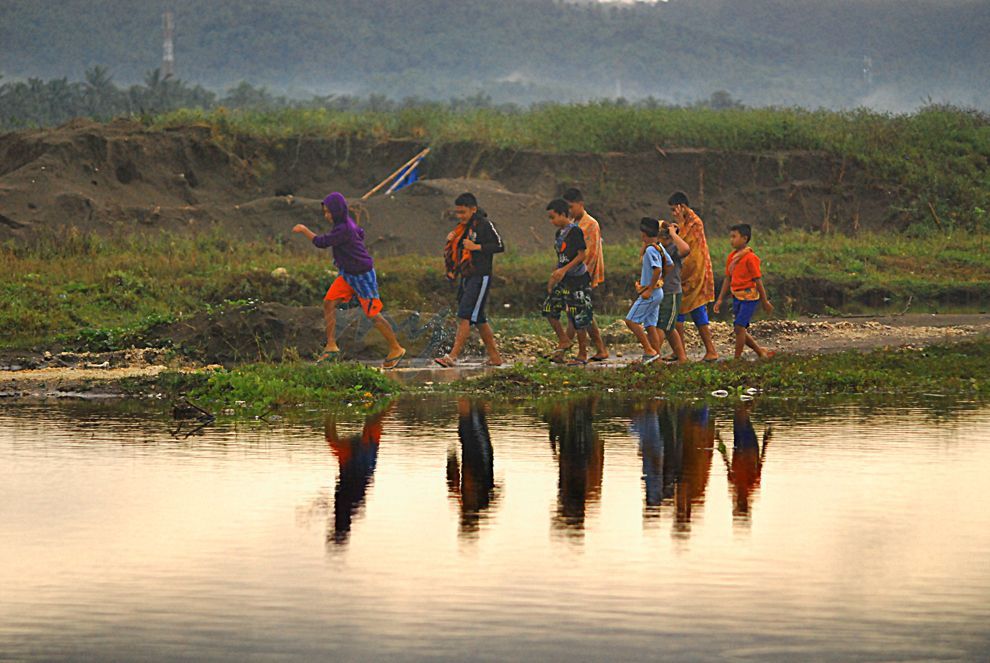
472,482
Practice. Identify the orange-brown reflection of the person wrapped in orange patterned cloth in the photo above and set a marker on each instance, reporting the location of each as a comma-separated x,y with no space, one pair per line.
690,457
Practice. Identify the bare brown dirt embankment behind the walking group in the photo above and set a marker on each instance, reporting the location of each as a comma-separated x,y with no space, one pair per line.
123,178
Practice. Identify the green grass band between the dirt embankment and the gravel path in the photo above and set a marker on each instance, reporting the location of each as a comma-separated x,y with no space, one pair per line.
89,293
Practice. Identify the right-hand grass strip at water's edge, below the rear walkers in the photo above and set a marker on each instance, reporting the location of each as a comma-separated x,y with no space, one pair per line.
960,368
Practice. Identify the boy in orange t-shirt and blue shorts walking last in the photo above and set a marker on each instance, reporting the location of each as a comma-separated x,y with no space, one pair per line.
743,275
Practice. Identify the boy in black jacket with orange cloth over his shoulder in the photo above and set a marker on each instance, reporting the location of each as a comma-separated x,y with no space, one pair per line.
469,251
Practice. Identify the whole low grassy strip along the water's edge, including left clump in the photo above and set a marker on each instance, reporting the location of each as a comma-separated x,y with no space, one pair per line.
960,369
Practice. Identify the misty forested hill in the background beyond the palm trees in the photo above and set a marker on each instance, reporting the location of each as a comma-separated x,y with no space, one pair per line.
803,52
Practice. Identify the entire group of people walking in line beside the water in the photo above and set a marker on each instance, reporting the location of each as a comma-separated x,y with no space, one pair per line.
676,281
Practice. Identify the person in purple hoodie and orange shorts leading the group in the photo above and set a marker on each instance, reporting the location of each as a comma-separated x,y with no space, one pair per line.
357,277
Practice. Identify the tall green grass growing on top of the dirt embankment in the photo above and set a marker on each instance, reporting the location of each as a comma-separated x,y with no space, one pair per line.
938,155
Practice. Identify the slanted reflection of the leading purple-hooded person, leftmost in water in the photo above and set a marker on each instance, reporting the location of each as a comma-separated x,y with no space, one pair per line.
357,456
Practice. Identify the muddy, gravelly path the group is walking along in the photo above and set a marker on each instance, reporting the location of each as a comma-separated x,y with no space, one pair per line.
276,332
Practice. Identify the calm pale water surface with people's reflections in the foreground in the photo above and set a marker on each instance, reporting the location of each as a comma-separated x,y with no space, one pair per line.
444,528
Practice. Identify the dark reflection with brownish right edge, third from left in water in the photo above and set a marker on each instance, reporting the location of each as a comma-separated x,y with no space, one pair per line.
581,456
